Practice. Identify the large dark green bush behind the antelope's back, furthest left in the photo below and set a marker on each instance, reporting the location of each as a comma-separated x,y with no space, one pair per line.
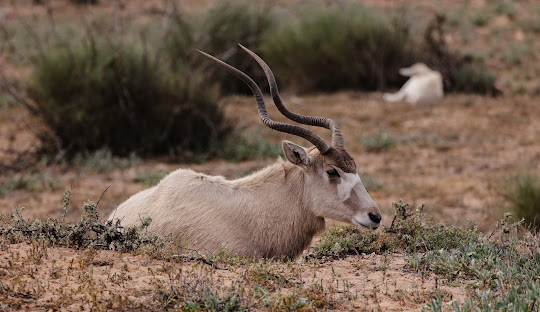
94,95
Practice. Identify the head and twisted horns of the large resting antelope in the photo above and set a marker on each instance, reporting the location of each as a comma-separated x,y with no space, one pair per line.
332,187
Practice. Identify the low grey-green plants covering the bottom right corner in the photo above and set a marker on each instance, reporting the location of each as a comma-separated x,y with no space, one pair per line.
501,274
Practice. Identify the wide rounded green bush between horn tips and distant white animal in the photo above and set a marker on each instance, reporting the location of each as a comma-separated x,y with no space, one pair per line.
335,47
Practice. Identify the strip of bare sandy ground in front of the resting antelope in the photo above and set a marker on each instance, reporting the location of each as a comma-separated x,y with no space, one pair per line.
42,278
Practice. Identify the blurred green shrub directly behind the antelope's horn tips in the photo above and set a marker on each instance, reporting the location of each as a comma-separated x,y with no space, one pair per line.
218,31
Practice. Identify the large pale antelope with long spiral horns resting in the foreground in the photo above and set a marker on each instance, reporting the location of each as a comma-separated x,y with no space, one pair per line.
274,212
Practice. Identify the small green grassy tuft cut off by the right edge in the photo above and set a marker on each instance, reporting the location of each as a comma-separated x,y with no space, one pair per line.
523,196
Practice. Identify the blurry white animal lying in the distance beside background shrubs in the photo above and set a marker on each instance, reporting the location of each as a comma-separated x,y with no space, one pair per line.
424,86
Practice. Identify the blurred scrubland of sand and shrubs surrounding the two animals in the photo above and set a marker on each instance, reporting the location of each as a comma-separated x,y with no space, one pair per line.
103,99
